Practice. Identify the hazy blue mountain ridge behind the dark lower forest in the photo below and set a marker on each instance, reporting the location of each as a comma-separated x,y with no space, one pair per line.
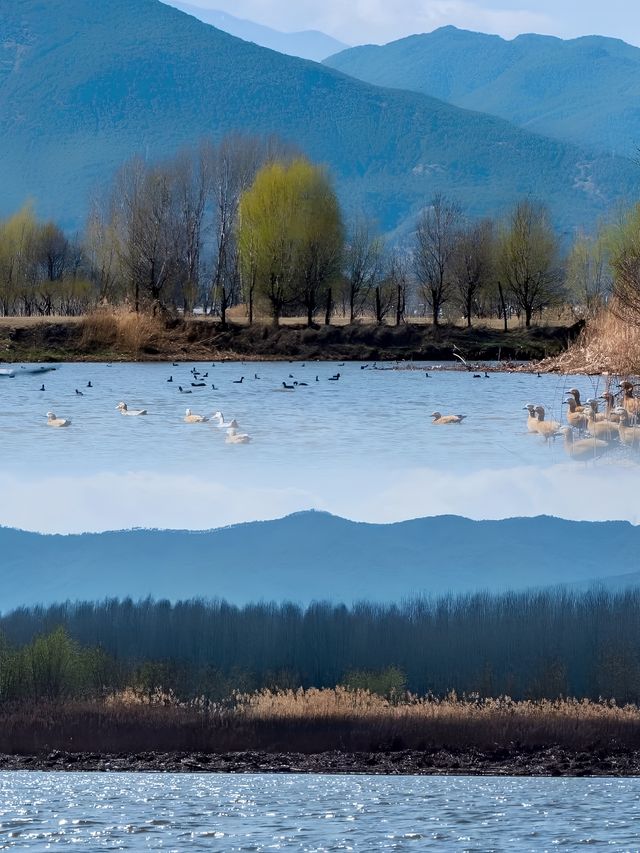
311,556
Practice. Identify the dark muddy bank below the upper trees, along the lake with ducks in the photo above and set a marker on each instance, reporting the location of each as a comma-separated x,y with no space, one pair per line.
206,339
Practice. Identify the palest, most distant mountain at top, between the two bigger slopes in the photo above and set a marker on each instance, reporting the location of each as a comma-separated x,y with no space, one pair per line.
308,44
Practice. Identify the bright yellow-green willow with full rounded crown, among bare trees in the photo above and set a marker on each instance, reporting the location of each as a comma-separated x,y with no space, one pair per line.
290,236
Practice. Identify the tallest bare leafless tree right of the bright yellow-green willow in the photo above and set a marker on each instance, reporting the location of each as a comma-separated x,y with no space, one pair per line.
434,252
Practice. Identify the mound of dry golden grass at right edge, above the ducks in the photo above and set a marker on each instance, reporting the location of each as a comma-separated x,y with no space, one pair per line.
609,344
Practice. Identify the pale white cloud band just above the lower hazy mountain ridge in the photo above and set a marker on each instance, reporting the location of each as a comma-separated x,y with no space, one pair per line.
107,502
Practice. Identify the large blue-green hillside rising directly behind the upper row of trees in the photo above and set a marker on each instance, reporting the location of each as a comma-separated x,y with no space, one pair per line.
84,85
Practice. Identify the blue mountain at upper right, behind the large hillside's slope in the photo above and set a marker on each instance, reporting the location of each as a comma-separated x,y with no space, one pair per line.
585,90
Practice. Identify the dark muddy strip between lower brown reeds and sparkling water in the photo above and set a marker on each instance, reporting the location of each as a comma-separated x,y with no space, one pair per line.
514,761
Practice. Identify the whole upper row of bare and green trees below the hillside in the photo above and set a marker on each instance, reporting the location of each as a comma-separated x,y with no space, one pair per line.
250,221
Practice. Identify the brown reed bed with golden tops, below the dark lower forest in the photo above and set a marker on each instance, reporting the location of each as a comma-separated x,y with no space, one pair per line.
315,721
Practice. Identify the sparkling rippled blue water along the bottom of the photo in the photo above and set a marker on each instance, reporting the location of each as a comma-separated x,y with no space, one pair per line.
315,813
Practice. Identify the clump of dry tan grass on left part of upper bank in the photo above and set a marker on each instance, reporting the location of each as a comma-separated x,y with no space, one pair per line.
125,330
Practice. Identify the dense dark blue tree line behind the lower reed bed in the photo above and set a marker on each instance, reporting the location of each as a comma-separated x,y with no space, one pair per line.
525,645
